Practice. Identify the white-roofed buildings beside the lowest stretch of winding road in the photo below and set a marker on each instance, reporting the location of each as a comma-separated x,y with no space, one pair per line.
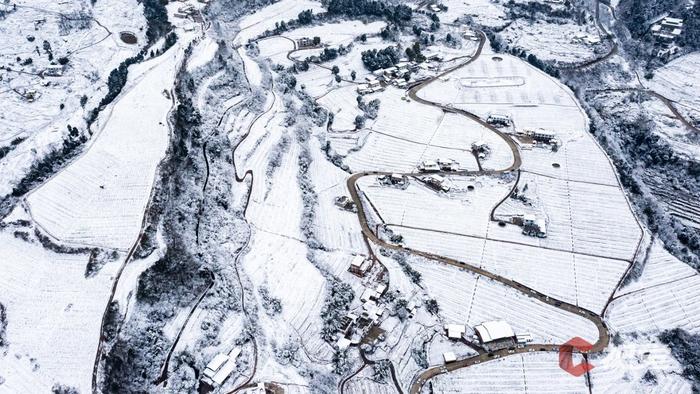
491,335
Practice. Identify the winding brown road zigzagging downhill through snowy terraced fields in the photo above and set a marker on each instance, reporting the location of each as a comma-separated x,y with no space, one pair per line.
603,335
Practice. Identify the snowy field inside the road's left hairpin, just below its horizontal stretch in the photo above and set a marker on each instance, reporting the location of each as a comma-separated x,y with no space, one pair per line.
458,211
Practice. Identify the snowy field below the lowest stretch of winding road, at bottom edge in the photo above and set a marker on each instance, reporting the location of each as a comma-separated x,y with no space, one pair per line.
531,372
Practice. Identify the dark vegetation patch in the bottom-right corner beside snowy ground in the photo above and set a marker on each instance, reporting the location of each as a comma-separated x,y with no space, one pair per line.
685,347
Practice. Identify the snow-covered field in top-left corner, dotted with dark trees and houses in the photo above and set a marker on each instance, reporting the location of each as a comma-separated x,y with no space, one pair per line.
92,52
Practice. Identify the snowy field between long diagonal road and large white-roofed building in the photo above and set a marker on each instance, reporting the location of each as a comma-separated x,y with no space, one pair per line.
469,299
